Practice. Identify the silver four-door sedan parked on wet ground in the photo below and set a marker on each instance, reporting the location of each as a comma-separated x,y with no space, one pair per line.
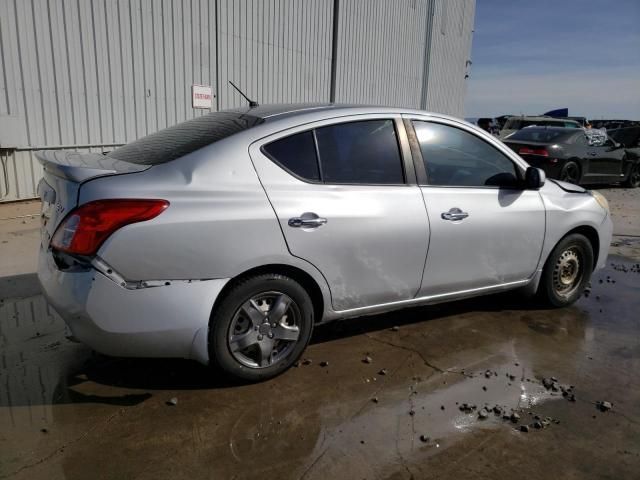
226,238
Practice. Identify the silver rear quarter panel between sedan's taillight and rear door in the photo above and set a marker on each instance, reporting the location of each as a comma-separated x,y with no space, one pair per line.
219,222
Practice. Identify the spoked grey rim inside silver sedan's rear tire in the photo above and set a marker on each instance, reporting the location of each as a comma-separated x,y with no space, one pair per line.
264,330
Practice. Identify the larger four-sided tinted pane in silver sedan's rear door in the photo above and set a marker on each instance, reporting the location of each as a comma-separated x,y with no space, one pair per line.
360,152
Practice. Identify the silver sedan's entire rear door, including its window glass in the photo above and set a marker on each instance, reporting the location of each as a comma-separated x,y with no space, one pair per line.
340,193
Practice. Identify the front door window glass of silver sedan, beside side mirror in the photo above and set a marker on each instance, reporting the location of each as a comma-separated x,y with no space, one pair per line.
453,157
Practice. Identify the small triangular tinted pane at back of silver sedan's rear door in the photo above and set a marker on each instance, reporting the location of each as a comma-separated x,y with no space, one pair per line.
297,154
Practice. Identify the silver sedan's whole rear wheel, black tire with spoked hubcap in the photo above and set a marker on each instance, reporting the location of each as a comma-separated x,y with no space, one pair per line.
238,309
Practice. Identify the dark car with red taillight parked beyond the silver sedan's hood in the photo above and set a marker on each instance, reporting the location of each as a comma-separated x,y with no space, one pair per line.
576,156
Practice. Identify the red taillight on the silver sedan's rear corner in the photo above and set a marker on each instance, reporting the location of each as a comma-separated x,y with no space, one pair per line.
85,228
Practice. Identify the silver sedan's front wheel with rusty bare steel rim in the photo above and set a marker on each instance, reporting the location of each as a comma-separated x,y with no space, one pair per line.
557,287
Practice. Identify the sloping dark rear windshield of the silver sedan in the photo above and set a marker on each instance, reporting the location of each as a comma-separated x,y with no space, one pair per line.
183,138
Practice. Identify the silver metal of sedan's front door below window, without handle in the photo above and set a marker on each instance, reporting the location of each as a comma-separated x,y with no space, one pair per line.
498,243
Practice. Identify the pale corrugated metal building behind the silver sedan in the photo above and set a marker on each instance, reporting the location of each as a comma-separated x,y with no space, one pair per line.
93,74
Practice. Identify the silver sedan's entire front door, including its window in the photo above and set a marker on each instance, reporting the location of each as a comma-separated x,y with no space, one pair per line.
485,229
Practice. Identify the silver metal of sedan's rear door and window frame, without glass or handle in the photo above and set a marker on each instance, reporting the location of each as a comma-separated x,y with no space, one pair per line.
372,248
